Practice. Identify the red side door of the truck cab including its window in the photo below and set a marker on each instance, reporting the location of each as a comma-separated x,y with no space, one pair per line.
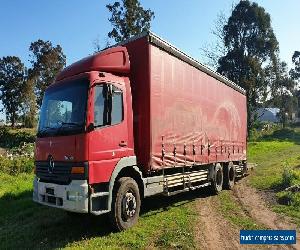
108,139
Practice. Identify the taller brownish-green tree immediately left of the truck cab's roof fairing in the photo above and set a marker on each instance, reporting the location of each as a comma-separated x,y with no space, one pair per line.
47,61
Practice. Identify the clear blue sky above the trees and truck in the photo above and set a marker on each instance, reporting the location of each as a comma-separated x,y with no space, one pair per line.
76,24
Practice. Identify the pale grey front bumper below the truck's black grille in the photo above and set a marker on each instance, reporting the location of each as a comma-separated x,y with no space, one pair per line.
73,197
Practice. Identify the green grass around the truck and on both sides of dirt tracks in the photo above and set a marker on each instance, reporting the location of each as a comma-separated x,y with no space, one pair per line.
164,223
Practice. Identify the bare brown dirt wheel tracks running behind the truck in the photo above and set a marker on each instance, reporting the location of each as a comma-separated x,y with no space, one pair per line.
215,232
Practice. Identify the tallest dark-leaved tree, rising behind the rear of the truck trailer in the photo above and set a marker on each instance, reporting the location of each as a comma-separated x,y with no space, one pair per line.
251,44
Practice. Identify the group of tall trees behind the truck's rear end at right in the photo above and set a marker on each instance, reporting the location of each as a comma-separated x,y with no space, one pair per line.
247,52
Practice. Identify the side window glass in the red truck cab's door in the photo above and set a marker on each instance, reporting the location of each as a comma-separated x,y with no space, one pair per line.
108,105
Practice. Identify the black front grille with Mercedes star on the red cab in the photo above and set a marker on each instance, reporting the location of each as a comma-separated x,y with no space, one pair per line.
60,174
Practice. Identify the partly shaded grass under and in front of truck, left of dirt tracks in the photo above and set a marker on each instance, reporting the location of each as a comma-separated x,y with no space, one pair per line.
167,223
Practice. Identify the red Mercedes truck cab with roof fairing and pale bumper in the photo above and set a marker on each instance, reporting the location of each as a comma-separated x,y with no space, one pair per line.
85,129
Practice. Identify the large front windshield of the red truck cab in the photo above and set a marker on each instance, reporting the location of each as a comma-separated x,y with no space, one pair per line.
63,109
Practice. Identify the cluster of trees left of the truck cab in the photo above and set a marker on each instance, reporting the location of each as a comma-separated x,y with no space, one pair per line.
22,88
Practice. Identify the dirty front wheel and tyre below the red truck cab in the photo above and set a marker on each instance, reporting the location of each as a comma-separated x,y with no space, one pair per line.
126,204
